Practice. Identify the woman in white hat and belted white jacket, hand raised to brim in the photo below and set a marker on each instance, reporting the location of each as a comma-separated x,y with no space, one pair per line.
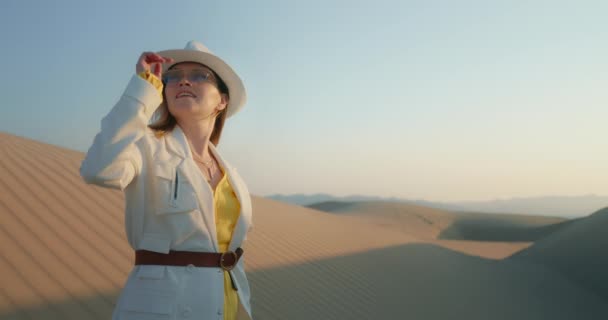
187,210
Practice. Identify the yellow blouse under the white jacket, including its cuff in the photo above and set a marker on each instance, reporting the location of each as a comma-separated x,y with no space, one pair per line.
227,208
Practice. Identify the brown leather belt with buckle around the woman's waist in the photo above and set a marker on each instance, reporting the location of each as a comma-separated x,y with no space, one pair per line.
225,260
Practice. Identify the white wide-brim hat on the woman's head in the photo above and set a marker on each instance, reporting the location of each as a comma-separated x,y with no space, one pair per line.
197,52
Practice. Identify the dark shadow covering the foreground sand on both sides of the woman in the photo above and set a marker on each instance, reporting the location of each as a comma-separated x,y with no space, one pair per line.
414,281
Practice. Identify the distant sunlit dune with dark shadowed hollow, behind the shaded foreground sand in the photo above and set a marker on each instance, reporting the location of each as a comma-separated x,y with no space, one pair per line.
494,236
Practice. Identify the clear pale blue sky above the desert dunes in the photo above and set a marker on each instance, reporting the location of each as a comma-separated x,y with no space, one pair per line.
436,100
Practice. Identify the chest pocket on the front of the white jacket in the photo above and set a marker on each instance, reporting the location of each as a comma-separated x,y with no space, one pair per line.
174,193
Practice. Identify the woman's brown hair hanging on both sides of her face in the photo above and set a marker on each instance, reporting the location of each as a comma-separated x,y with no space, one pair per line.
167,122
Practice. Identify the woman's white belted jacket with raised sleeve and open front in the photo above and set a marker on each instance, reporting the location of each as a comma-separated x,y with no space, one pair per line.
169,206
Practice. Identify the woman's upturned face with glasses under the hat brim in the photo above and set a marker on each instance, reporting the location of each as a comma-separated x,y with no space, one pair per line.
191,92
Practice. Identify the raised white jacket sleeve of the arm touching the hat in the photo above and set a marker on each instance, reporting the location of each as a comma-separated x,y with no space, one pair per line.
113,160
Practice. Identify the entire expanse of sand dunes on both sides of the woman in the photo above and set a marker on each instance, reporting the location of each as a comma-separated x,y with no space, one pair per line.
65,255
